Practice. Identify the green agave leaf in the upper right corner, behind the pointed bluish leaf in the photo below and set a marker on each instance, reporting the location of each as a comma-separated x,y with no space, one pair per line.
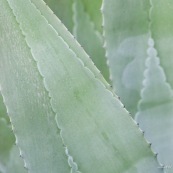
161,30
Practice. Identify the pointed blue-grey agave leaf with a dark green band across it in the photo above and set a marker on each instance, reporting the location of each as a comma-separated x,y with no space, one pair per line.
156,108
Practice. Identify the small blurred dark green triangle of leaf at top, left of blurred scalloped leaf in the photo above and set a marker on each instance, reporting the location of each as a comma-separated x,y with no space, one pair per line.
63,9
